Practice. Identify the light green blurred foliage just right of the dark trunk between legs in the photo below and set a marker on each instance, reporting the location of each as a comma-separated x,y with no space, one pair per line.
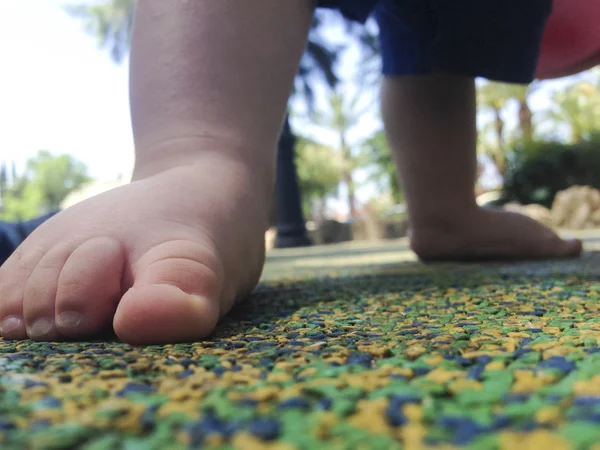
319,172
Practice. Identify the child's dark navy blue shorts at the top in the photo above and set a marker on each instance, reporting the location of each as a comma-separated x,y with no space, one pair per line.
494,39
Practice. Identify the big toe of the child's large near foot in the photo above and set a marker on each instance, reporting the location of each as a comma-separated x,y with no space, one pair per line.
176,296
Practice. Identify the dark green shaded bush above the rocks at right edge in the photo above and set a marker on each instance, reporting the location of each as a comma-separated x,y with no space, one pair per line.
538,170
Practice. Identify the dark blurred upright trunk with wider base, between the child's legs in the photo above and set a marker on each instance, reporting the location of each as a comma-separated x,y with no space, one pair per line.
291,227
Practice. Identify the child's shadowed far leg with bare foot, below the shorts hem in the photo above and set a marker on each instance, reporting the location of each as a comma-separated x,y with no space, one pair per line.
430,124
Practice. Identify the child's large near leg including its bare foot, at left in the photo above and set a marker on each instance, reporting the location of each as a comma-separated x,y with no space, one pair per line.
161,259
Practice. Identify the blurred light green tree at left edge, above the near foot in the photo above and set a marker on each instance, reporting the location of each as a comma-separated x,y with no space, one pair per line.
46,182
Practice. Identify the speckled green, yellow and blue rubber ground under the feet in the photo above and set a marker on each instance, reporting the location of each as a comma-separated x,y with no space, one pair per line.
354,347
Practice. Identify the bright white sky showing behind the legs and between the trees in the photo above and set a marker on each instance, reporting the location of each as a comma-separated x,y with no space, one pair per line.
60,92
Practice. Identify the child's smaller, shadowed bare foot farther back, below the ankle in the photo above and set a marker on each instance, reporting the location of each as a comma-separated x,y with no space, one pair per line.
489,235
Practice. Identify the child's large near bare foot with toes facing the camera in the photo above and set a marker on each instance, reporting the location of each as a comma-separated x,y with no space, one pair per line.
160,259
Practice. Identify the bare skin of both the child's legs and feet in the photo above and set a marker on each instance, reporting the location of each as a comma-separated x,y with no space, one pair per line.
162,259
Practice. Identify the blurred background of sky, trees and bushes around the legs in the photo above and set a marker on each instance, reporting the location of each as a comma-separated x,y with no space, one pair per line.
66,129
